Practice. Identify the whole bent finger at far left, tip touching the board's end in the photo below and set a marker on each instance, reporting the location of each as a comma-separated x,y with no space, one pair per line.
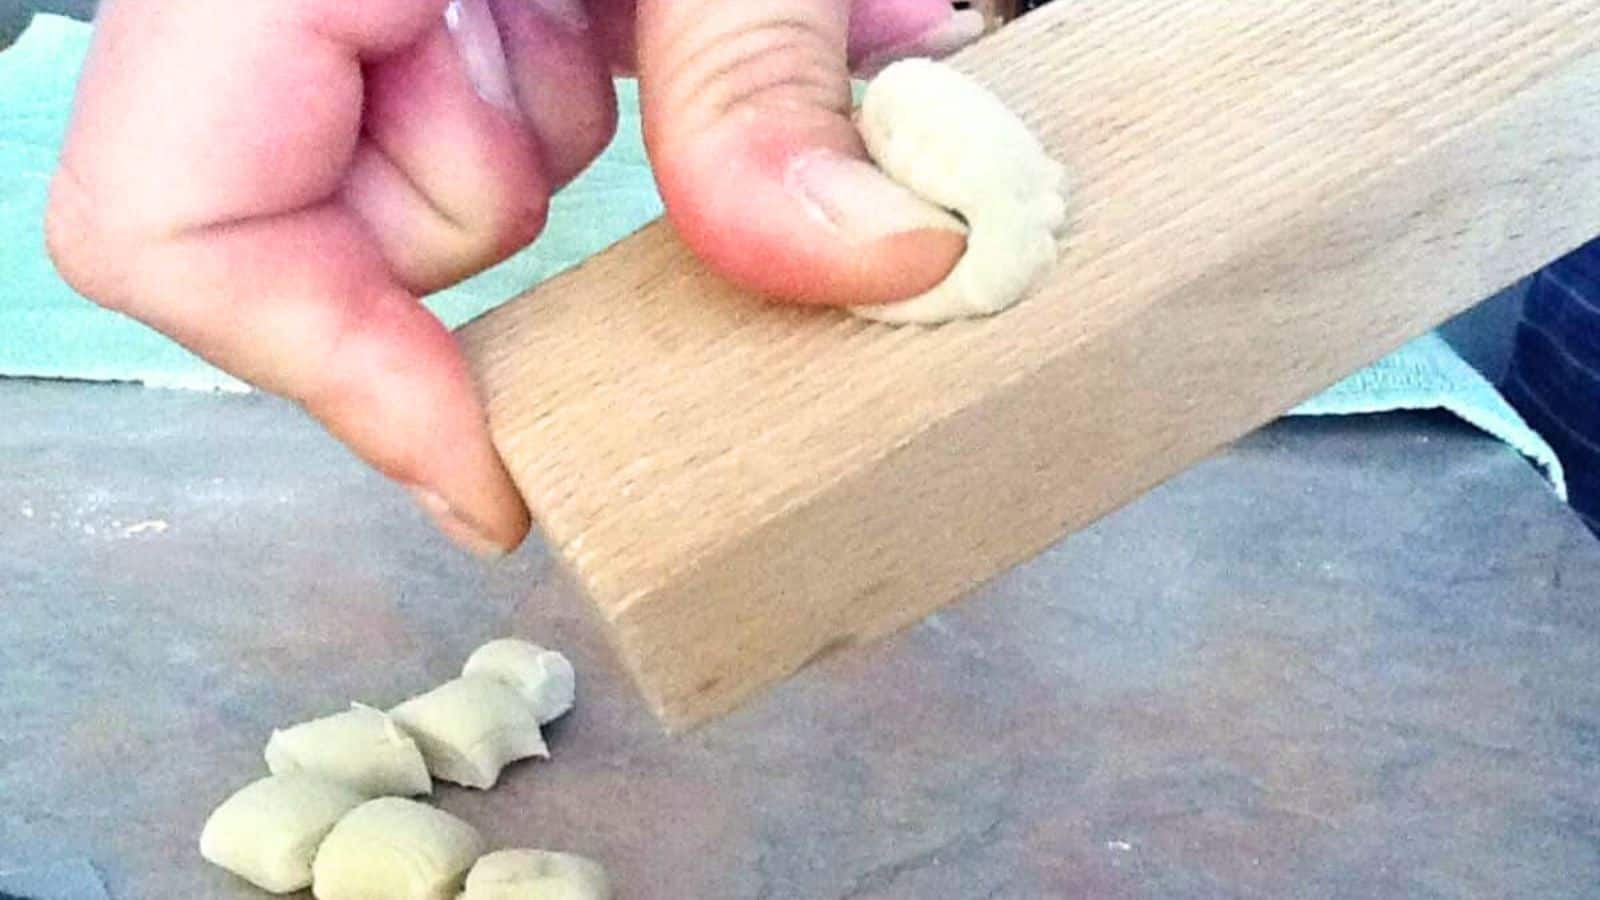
212,214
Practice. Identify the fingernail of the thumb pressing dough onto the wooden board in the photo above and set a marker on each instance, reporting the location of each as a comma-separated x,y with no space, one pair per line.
858,201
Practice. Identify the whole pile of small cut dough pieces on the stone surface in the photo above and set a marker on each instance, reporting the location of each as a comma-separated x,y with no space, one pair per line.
335,813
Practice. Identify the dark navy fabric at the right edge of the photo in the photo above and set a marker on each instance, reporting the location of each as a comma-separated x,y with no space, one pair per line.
1554,374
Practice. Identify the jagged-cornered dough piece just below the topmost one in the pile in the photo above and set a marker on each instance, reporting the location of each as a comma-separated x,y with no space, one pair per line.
470,729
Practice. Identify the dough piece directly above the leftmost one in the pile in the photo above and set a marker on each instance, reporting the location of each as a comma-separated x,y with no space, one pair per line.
361,749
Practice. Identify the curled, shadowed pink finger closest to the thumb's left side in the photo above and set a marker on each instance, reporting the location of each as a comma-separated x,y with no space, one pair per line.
562,81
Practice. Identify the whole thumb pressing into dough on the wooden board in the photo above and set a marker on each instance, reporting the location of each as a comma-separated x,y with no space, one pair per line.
748,124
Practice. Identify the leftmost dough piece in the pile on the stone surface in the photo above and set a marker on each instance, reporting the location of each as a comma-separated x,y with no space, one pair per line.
268,832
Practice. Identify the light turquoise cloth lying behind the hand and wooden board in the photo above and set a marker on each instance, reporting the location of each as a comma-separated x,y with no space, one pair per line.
47,331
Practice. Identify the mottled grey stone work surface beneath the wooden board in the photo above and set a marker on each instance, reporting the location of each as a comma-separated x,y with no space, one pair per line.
1346,659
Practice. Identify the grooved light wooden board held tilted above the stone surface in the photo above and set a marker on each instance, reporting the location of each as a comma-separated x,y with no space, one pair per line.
1271,196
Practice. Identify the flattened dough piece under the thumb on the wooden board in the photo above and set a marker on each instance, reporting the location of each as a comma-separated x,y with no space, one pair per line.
956,145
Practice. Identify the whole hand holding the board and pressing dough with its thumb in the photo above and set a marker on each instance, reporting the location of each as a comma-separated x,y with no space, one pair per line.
274,183
